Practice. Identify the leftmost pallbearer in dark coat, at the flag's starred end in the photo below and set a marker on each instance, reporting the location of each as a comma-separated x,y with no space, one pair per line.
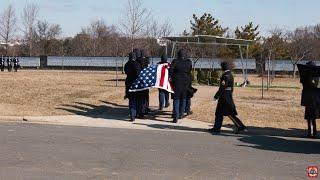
132,70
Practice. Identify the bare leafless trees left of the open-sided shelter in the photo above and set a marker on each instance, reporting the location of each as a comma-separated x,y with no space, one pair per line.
137,29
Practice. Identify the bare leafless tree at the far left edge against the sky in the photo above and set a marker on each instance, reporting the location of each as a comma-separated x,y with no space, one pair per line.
8,22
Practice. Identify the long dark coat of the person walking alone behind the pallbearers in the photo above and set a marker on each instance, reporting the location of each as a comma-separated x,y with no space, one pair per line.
225,106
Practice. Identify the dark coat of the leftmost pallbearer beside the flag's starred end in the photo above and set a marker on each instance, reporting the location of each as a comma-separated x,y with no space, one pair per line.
132,70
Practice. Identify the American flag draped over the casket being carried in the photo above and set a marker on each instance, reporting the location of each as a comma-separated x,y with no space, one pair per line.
155,76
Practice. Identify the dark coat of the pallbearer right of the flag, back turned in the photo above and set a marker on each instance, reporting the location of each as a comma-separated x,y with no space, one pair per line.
180,70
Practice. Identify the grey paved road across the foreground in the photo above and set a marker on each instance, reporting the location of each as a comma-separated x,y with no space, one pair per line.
30,151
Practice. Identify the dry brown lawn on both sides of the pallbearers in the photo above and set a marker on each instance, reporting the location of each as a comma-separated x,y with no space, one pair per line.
37,92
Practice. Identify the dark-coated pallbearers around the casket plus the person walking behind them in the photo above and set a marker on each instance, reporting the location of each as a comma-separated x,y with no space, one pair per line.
180,75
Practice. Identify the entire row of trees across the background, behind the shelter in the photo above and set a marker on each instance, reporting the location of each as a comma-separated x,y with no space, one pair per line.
138,28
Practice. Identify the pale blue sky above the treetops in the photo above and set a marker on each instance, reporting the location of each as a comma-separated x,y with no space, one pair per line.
72,15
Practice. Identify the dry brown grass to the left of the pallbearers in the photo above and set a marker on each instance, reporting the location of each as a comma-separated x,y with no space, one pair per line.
37,92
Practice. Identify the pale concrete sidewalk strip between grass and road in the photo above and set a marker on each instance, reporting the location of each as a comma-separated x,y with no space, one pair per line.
161,123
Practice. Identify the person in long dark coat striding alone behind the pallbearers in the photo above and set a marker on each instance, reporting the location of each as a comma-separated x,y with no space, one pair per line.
226,106
